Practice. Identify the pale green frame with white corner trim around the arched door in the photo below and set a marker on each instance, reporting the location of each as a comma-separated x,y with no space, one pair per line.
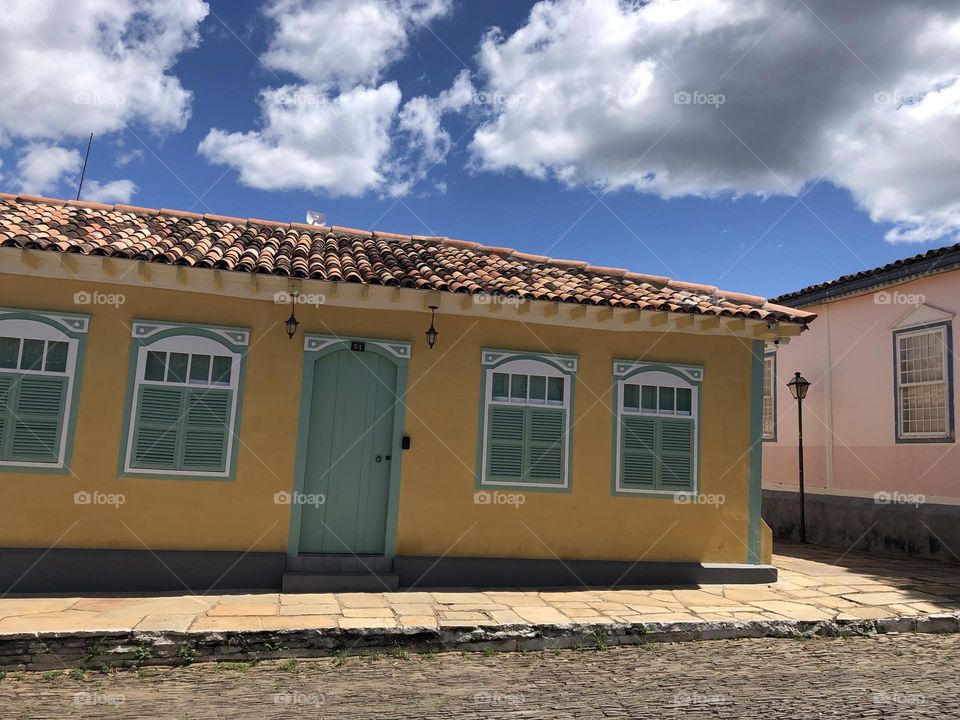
316,347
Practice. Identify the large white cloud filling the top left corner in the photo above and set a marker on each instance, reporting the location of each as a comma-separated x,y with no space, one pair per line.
71,68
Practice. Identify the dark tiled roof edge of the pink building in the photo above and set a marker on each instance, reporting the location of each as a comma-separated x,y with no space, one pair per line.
932,261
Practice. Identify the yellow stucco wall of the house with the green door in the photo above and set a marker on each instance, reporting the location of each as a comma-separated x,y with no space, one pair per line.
437,513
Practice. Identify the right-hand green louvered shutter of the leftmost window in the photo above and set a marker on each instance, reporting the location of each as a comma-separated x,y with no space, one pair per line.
37,416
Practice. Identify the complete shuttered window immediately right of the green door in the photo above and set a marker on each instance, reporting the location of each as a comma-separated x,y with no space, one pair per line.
525,419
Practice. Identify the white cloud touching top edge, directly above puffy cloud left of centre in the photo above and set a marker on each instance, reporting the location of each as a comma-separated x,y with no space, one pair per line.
345,42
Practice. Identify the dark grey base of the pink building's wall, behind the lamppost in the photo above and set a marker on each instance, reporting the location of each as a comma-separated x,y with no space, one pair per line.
853,523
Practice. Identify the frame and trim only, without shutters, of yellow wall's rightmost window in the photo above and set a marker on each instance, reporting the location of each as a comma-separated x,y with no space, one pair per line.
638,374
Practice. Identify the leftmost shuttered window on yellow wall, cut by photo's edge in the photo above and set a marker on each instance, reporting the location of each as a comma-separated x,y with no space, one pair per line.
39,354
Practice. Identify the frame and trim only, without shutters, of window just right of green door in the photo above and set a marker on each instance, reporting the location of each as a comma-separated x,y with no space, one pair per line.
524,365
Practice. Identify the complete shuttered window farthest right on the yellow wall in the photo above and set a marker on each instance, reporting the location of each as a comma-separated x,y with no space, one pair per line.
656,427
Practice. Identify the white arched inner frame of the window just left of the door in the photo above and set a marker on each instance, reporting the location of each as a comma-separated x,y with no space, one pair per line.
191,344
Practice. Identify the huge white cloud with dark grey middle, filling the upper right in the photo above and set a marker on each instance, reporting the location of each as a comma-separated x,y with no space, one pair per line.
677,97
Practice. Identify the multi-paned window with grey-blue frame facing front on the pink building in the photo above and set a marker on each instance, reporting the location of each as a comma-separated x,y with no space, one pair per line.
924,395
